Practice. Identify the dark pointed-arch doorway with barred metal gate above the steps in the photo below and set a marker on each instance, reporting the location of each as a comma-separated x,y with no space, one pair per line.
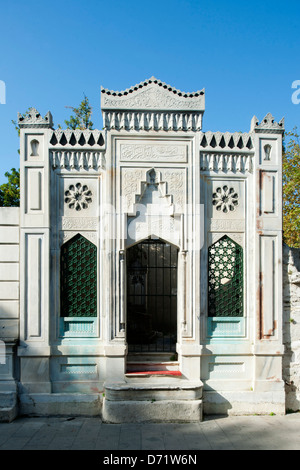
152,297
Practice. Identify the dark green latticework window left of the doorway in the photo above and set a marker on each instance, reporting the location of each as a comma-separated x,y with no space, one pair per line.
78,278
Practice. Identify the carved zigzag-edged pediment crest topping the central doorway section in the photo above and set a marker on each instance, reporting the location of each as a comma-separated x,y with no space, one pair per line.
152,94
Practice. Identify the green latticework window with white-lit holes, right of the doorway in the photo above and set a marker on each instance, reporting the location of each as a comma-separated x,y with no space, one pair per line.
225,279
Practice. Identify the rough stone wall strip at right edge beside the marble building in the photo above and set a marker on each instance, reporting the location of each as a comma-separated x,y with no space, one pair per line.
291,326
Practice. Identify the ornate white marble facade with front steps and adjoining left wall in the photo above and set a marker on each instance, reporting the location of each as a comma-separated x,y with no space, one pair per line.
142,274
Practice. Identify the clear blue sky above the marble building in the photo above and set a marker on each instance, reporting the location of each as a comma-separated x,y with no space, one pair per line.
245,54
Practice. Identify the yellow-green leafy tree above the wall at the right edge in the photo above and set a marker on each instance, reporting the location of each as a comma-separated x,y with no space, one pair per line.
291,190
